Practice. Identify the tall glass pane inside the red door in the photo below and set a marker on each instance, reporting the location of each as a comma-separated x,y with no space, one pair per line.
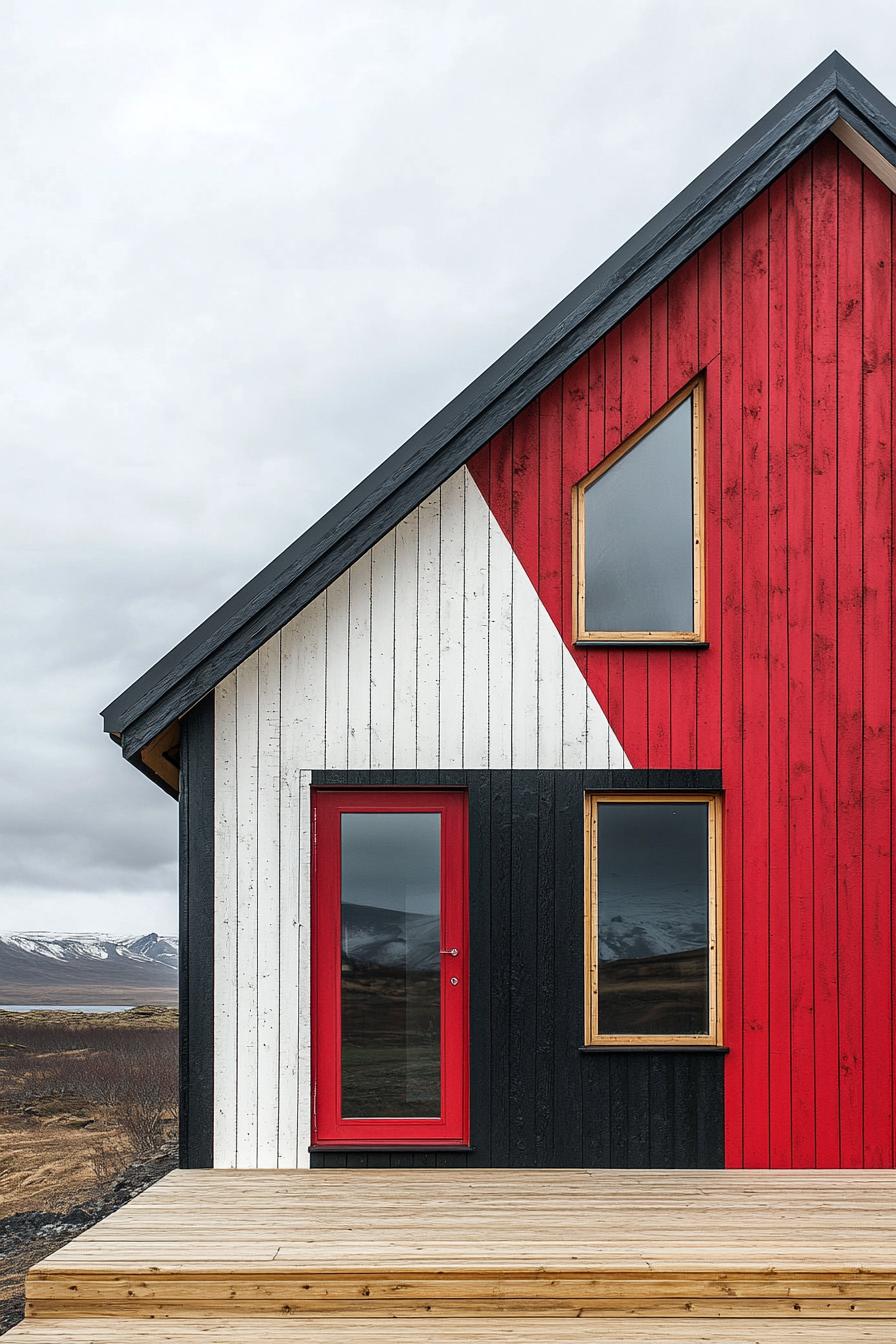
390,980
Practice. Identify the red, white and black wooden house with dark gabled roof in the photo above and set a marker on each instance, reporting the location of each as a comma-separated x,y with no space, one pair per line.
537,804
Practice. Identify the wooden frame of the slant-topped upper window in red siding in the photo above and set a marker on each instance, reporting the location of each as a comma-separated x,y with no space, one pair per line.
697,390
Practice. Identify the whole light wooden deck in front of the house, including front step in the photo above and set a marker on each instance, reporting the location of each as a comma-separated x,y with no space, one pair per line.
377,1256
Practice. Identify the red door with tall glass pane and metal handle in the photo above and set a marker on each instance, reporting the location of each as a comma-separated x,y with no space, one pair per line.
390,968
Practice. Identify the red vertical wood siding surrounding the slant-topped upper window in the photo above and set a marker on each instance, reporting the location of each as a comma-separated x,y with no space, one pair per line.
791,312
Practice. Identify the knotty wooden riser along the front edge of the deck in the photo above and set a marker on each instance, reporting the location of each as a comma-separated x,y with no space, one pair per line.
253,1290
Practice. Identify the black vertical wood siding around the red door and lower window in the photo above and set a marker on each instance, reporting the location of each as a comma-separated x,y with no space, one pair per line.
537,1097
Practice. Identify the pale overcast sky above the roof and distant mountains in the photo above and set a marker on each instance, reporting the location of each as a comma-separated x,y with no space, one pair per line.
248,251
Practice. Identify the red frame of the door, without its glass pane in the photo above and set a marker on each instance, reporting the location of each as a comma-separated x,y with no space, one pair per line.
328,1126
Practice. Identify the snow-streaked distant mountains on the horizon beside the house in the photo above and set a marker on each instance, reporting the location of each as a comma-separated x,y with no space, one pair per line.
88,968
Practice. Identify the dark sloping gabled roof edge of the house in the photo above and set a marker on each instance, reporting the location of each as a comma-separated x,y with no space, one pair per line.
834,97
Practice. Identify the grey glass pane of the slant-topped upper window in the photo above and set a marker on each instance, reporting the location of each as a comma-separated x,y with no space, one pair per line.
639,534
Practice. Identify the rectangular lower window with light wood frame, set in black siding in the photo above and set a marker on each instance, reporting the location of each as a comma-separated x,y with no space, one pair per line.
654,920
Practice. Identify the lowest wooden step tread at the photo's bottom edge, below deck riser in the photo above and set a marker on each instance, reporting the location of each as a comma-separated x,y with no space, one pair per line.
502,1330
